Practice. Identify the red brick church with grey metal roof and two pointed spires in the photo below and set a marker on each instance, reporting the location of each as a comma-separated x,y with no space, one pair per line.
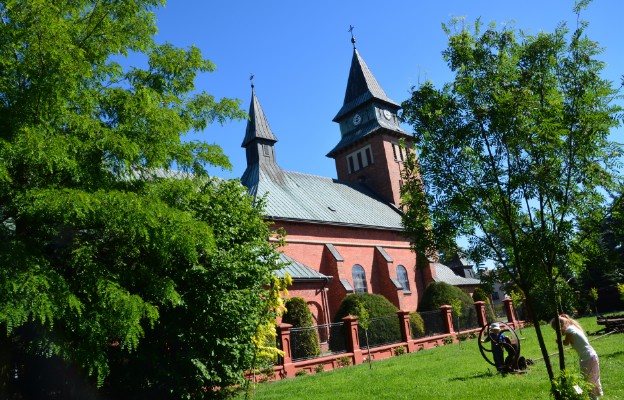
344,235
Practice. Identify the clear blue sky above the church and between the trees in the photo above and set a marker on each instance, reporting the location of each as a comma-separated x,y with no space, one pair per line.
300,53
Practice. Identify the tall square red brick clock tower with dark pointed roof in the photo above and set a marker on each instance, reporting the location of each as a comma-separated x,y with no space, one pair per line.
368,151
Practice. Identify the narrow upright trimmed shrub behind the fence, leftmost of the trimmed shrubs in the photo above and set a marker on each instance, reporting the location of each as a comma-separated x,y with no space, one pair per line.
306,344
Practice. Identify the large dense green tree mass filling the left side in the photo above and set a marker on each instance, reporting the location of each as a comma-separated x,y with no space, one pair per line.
108,260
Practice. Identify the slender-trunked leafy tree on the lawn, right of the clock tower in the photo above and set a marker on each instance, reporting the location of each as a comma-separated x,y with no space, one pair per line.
512,153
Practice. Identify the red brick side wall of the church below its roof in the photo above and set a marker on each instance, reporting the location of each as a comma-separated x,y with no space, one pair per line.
306,243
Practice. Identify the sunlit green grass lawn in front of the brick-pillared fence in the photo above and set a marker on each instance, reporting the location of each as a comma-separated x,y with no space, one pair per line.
452,372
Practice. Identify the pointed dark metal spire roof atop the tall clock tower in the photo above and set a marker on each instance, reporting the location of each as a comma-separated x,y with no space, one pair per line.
361,87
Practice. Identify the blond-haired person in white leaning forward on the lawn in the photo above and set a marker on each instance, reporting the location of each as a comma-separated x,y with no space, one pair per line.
573,334
